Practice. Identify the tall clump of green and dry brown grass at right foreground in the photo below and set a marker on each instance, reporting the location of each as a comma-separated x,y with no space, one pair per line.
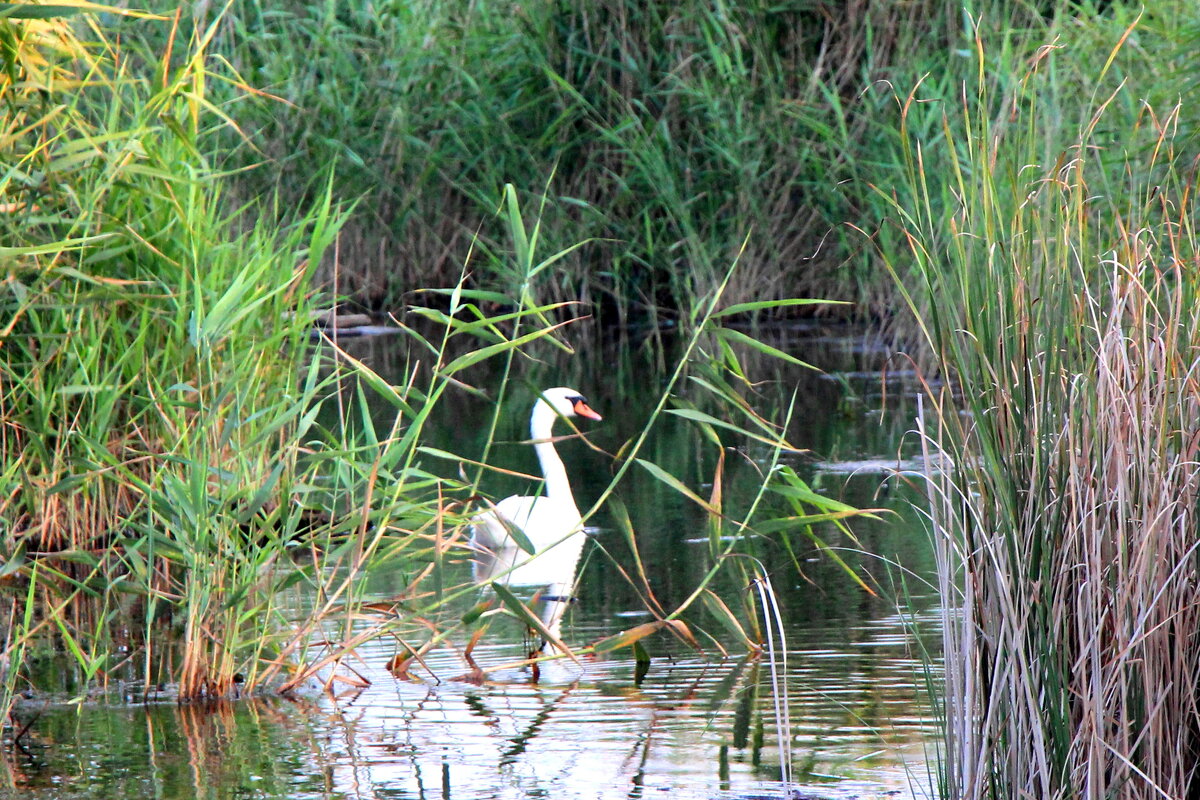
1049,252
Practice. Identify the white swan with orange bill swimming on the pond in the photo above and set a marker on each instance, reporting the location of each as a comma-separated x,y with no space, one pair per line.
551,522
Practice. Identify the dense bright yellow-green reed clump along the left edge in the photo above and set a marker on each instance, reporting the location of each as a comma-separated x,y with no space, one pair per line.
153,370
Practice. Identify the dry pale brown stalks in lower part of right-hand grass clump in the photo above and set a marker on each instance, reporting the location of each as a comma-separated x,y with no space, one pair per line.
1072,658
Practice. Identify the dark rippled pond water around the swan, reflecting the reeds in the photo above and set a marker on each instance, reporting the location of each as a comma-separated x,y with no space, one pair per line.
689,724
